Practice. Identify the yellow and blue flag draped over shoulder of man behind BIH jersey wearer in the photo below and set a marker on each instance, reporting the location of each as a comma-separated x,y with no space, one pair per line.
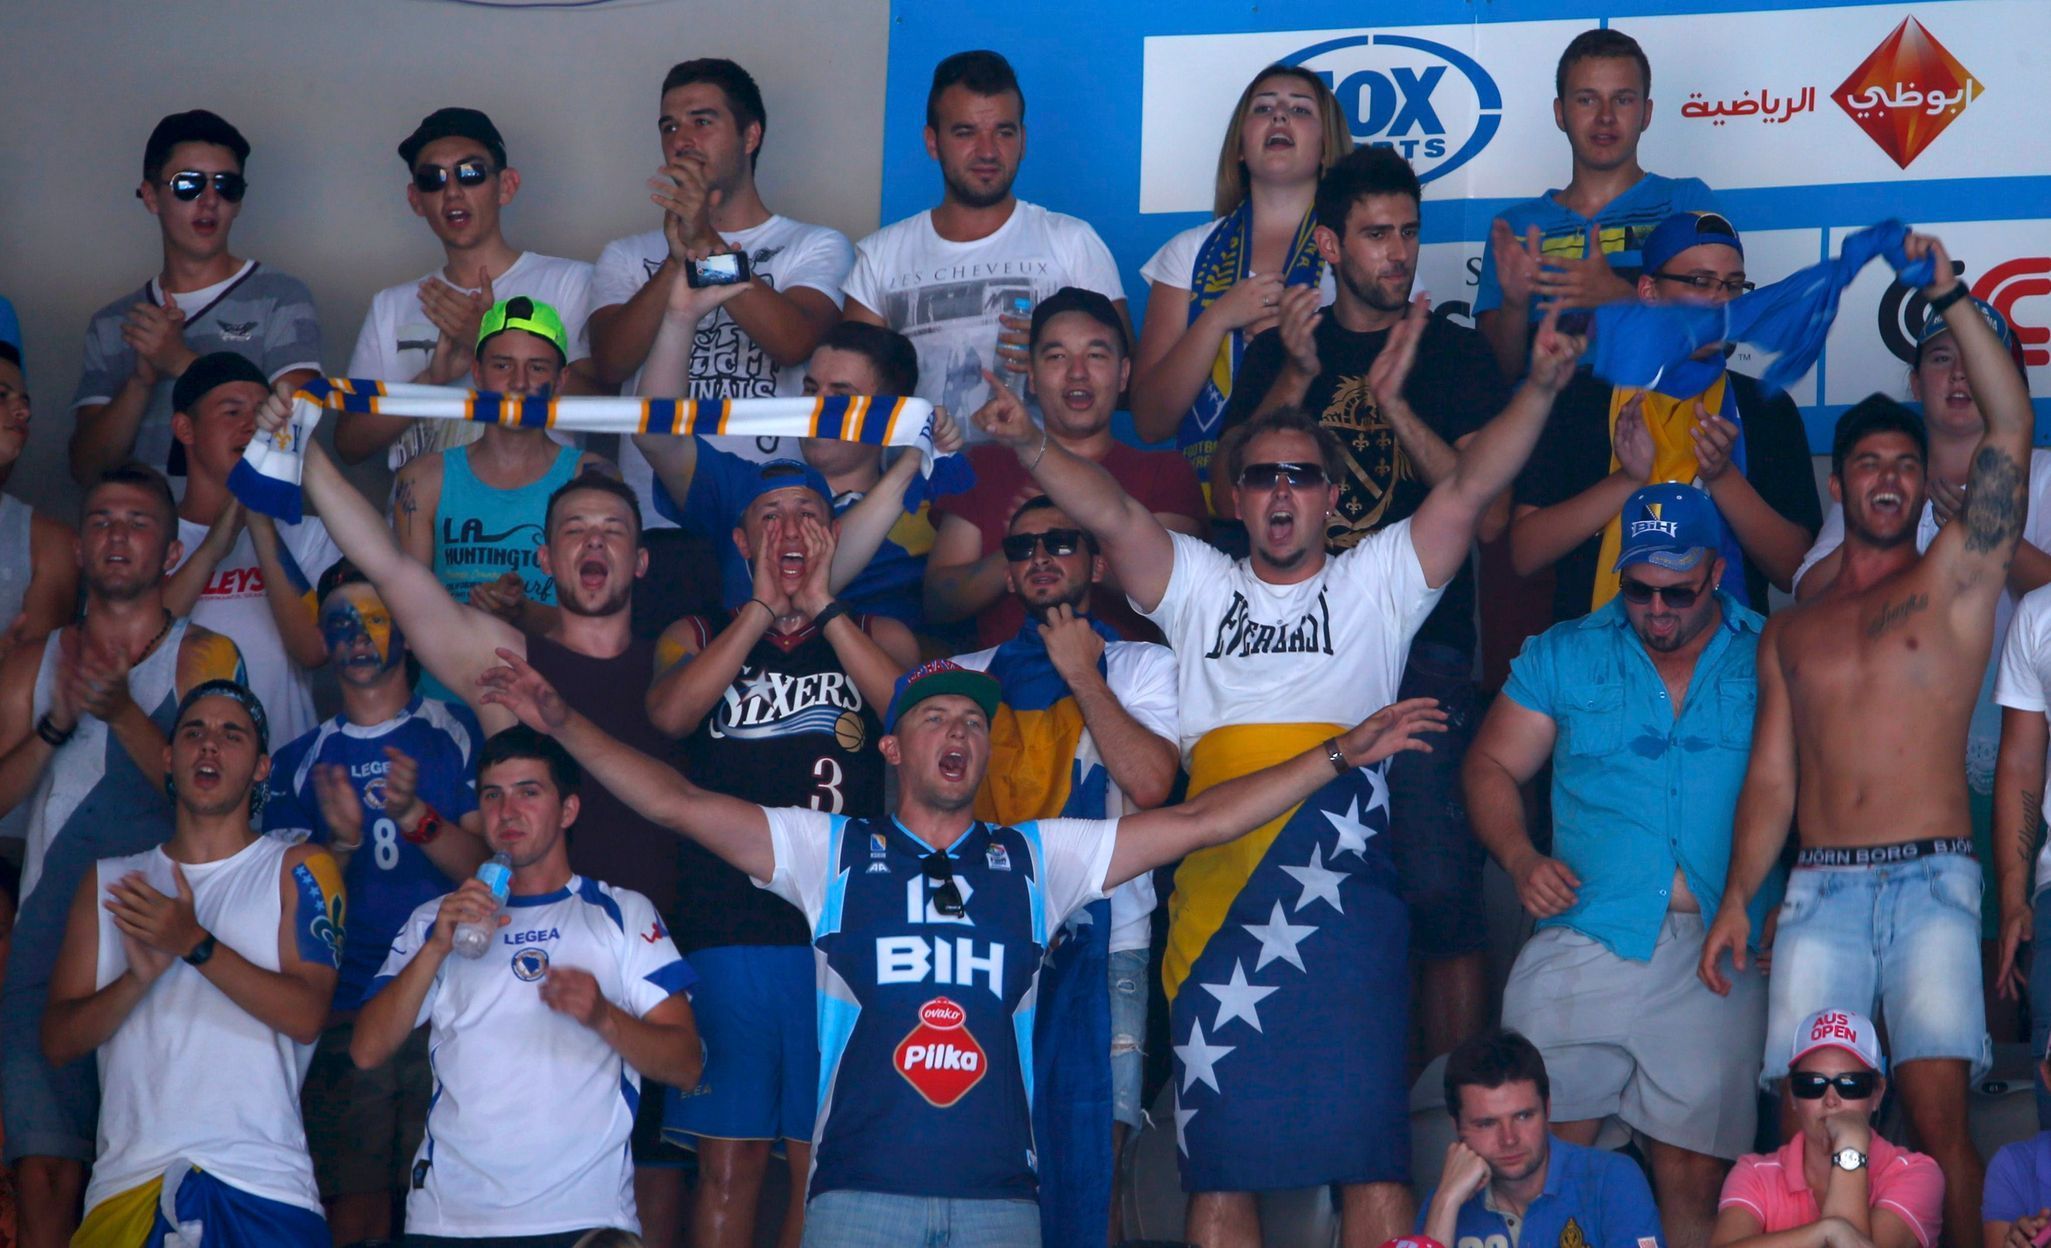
1045,767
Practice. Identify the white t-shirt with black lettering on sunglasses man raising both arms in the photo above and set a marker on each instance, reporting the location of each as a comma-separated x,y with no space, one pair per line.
1328,650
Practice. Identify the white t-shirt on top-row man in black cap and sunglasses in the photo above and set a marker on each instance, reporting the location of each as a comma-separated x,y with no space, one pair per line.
397,340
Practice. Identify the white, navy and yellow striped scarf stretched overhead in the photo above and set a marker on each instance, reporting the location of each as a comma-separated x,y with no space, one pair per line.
268,477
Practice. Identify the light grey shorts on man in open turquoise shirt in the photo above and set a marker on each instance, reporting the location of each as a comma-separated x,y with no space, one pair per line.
1644,1042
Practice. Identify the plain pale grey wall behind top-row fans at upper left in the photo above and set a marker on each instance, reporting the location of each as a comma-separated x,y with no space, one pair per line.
327,89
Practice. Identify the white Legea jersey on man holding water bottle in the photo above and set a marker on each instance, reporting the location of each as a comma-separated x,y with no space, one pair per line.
528,1132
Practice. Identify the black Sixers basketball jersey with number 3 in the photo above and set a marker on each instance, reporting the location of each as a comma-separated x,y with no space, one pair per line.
791,732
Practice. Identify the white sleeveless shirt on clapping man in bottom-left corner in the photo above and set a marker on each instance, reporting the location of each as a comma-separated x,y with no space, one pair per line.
192,1077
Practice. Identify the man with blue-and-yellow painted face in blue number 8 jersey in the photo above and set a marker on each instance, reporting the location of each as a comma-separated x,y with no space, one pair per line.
391,791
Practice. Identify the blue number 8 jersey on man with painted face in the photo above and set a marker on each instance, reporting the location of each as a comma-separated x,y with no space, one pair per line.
389,877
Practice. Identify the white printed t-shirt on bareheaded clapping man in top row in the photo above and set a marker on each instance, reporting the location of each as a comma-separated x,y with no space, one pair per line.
725,360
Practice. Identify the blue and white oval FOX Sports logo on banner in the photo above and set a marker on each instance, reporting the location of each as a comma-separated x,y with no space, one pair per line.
1429,102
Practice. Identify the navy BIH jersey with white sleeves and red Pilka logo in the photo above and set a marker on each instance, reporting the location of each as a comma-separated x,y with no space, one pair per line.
926,1019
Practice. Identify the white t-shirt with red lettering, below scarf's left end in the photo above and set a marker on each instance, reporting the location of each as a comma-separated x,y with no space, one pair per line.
235,607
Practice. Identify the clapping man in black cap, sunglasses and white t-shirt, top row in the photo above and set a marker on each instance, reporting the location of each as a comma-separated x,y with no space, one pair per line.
426,331
